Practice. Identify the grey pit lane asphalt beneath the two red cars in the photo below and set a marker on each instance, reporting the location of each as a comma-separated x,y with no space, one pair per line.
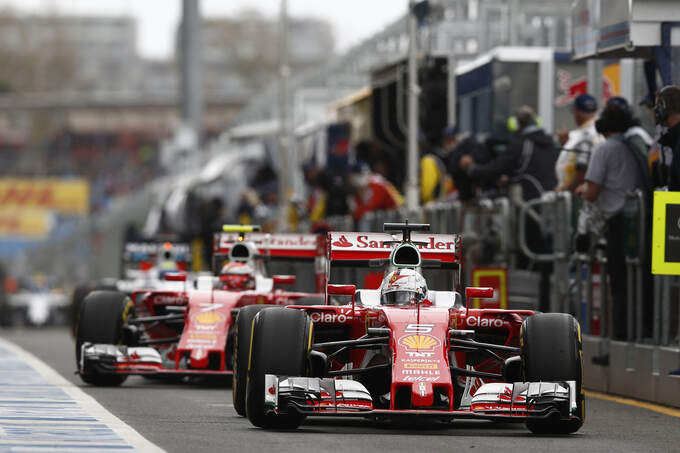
194,418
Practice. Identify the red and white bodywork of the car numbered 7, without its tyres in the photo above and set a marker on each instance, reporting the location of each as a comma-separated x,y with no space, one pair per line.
191,332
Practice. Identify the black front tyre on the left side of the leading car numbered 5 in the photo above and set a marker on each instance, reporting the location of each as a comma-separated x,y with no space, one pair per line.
280,345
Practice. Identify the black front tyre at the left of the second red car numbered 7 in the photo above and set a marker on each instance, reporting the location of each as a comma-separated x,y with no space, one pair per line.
101,320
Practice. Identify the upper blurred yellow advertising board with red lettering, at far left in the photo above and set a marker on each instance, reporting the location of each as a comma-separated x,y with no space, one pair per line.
66,196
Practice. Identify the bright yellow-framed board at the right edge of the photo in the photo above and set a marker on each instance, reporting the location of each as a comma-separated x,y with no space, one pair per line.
666,233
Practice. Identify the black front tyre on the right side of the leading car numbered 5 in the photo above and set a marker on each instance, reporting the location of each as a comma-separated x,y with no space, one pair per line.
552,351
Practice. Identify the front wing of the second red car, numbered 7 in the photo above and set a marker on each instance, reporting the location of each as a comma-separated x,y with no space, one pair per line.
123,360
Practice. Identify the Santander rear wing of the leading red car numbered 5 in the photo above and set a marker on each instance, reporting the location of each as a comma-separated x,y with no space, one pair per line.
358,247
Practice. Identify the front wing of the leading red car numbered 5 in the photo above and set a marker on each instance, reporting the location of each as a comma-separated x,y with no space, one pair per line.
516,402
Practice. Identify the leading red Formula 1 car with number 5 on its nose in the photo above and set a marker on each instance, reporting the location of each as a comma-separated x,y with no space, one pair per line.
406,350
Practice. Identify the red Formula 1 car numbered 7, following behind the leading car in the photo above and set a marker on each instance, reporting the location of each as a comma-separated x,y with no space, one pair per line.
191,332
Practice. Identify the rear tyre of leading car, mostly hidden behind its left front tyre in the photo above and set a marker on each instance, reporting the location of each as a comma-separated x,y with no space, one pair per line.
243,323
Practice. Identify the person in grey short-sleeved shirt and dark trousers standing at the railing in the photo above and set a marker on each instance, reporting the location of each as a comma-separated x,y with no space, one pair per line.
617,167
